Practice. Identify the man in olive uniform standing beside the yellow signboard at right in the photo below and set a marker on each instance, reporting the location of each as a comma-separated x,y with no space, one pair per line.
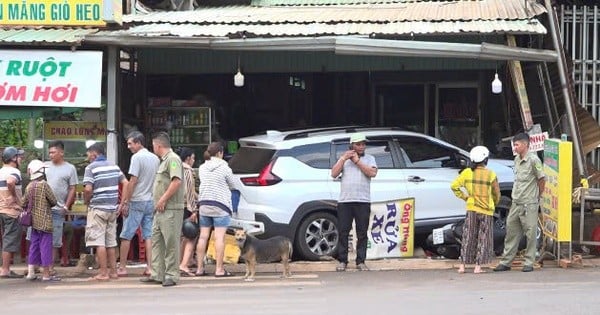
523,215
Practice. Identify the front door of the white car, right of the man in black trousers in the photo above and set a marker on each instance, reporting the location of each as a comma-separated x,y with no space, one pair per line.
429,167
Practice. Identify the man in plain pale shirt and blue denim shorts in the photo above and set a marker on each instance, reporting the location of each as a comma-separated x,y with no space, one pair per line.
140,209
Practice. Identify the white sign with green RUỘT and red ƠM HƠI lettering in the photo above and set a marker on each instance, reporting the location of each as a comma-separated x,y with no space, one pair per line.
50,78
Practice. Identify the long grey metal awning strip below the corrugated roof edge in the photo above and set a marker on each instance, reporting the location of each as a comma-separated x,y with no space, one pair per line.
343,45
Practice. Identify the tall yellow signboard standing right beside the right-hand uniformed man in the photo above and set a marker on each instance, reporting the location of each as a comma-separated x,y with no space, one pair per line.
556,199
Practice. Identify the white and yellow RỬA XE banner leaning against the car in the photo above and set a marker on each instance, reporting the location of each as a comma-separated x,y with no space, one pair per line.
391,229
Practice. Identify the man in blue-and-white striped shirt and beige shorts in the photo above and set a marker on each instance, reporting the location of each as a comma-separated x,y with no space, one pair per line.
101,194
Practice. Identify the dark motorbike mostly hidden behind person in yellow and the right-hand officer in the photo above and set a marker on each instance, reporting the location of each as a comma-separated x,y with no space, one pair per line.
446,241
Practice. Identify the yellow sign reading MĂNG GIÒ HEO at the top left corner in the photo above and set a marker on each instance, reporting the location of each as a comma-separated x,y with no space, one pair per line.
60,12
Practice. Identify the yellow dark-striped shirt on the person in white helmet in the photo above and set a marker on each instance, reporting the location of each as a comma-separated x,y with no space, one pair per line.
477,189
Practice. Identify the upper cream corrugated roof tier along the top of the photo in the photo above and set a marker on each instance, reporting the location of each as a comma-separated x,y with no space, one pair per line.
483,10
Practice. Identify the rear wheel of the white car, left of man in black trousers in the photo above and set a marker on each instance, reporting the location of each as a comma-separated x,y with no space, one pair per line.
317,236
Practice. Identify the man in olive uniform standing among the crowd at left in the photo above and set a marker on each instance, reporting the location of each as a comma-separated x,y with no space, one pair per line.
168,194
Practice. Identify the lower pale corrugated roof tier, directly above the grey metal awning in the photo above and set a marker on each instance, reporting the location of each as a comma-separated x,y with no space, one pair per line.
321,29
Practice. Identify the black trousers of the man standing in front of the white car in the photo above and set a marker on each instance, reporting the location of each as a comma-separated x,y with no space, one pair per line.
360,213
